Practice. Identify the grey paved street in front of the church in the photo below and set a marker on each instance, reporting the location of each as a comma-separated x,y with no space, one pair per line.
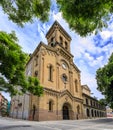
95,124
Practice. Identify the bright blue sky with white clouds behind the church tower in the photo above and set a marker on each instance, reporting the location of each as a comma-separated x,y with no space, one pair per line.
90,53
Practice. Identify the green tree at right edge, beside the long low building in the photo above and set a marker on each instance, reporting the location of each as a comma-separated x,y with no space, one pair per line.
104,78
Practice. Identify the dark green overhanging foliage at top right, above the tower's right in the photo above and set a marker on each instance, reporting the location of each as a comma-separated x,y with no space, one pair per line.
85,16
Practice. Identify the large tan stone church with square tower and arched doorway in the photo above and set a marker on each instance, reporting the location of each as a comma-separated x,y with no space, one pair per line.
53,65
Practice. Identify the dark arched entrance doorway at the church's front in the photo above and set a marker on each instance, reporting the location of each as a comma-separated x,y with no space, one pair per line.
66,111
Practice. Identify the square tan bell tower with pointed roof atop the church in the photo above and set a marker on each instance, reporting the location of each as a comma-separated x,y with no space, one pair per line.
57,35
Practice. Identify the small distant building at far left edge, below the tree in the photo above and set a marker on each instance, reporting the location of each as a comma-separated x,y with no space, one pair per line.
3,105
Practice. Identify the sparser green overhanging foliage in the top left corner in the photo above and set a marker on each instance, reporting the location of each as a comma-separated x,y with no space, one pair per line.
22,11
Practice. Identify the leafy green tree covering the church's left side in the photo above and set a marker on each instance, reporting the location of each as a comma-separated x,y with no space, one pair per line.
12,67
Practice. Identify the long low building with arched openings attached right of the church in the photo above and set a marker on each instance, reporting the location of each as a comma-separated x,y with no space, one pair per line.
92,108
